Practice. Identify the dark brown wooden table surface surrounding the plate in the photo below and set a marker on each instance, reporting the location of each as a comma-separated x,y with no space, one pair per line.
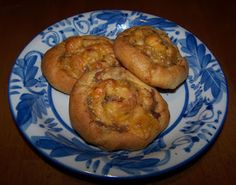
214,22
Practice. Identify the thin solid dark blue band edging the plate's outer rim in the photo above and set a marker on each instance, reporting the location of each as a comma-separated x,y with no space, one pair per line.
74,171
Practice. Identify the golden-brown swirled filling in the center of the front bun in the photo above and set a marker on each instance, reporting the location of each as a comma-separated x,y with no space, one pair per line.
122,106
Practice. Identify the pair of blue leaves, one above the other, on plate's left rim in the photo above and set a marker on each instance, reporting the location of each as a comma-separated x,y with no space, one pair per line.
32,105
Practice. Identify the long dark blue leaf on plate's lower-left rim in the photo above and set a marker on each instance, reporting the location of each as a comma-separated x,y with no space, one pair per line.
61,146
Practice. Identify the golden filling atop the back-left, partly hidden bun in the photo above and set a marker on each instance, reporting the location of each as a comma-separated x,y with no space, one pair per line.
86,54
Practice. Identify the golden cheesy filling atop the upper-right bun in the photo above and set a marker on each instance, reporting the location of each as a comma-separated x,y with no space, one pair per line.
155,44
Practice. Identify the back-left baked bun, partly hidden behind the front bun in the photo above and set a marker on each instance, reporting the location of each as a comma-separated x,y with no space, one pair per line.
63,64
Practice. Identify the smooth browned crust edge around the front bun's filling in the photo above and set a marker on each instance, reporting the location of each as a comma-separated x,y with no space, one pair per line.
111,140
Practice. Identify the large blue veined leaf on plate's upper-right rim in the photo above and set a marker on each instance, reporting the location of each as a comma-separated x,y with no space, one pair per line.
204,66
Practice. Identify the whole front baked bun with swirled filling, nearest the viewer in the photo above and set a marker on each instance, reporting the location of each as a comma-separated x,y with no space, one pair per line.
113,109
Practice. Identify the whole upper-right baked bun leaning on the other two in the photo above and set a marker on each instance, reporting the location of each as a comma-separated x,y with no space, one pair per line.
151,56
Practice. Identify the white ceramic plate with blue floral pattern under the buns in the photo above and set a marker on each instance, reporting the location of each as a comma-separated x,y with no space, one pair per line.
198,107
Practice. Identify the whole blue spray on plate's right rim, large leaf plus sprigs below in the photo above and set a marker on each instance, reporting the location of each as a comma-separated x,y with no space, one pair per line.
206,76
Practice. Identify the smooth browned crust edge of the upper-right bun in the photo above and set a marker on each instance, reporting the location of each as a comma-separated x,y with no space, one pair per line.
141,65
